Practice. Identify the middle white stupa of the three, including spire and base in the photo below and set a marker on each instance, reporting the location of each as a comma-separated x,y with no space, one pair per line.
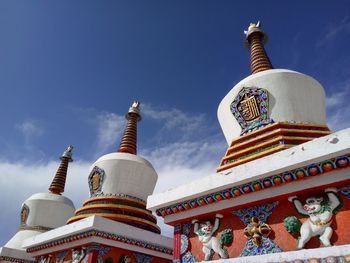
113,225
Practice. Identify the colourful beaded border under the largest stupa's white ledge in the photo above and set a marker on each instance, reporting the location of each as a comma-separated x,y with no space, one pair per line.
298,174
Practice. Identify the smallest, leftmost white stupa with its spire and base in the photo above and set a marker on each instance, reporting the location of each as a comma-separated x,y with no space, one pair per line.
40,213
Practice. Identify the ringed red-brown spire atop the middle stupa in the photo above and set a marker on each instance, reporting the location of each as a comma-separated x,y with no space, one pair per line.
129,139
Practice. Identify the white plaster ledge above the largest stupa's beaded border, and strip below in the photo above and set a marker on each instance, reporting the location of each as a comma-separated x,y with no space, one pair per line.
317,150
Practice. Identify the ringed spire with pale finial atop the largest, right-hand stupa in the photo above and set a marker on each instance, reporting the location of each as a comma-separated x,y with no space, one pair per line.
255,40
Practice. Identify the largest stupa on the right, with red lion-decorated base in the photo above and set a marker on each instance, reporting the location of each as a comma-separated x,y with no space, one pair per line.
281,192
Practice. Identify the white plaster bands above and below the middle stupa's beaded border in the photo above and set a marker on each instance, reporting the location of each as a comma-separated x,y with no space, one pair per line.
105,225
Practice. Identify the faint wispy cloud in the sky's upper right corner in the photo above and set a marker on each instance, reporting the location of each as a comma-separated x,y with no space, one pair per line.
333,31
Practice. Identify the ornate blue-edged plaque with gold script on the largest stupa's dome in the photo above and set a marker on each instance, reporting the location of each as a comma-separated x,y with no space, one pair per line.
250,108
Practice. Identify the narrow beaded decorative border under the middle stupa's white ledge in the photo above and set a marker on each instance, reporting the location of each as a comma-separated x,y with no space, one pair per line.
105,235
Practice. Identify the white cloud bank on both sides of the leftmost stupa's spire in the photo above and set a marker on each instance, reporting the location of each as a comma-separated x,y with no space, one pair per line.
19,181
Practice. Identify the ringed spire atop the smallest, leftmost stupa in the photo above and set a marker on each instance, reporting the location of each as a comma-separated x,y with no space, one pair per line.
59,181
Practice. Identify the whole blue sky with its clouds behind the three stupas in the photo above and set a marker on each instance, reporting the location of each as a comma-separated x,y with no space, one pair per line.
70,69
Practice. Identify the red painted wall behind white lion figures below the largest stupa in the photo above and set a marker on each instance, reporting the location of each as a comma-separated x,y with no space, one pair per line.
279,234
